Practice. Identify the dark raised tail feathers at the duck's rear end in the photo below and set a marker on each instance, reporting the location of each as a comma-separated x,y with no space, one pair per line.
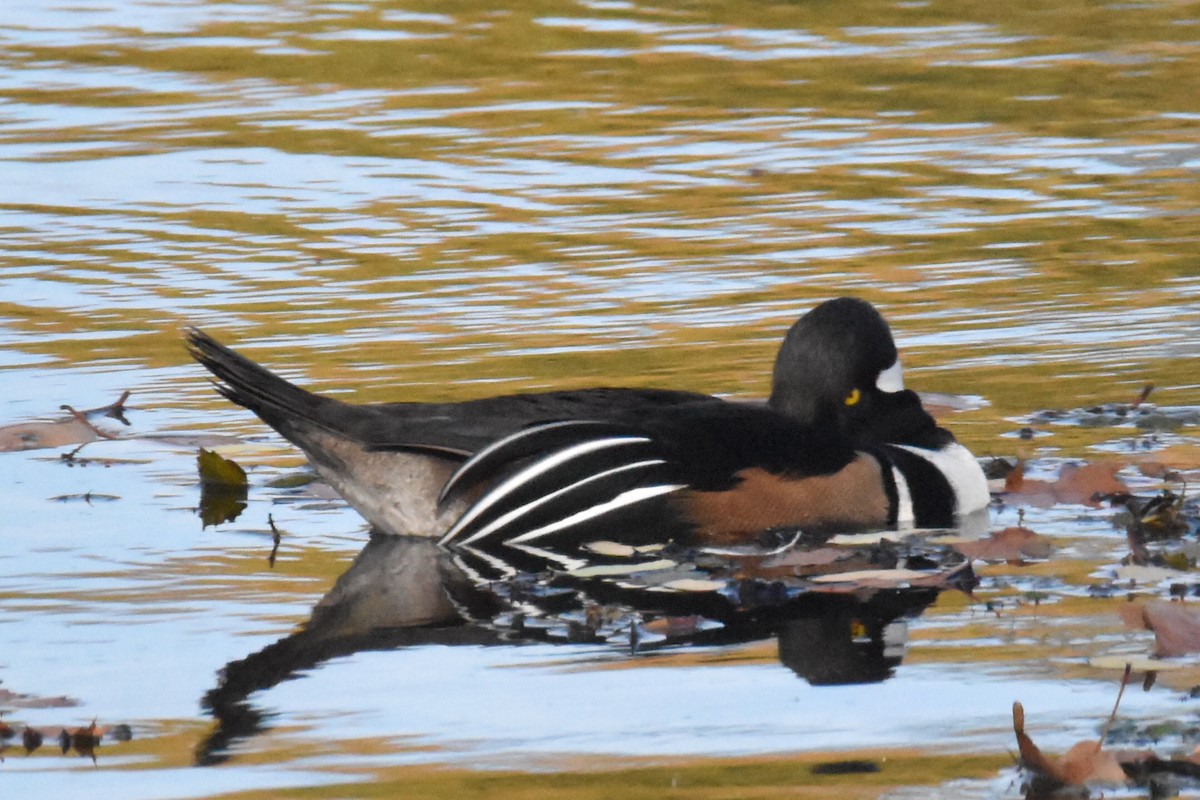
273,399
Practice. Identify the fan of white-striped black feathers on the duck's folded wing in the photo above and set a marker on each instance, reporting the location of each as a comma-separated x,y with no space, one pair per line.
562,478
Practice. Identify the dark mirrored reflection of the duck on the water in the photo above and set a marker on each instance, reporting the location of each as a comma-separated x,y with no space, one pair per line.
404,592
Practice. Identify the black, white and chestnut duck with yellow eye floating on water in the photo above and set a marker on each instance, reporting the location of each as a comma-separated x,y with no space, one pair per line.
839,446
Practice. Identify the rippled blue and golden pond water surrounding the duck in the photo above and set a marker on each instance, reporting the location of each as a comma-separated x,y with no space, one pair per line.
405,201
